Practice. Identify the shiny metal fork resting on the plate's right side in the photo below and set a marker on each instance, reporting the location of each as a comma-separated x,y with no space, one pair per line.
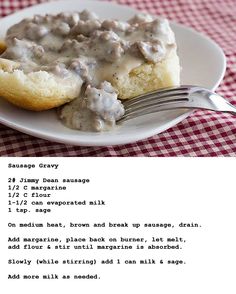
184,97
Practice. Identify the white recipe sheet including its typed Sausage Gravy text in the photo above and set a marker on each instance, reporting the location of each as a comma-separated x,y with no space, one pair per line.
136,225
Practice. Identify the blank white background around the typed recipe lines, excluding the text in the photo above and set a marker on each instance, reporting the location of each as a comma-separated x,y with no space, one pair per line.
135,190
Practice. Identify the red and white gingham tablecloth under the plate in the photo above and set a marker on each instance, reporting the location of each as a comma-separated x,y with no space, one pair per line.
201,134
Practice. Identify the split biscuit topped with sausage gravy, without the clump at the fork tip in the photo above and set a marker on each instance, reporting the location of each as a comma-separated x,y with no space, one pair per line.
48,58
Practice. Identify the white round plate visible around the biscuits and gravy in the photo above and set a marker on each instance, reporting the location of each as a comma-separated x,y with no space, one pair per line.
202,60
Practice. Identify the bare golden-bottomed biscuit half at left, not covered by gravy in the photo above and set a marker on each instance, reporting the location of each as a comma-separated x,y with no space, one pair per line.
36,90
